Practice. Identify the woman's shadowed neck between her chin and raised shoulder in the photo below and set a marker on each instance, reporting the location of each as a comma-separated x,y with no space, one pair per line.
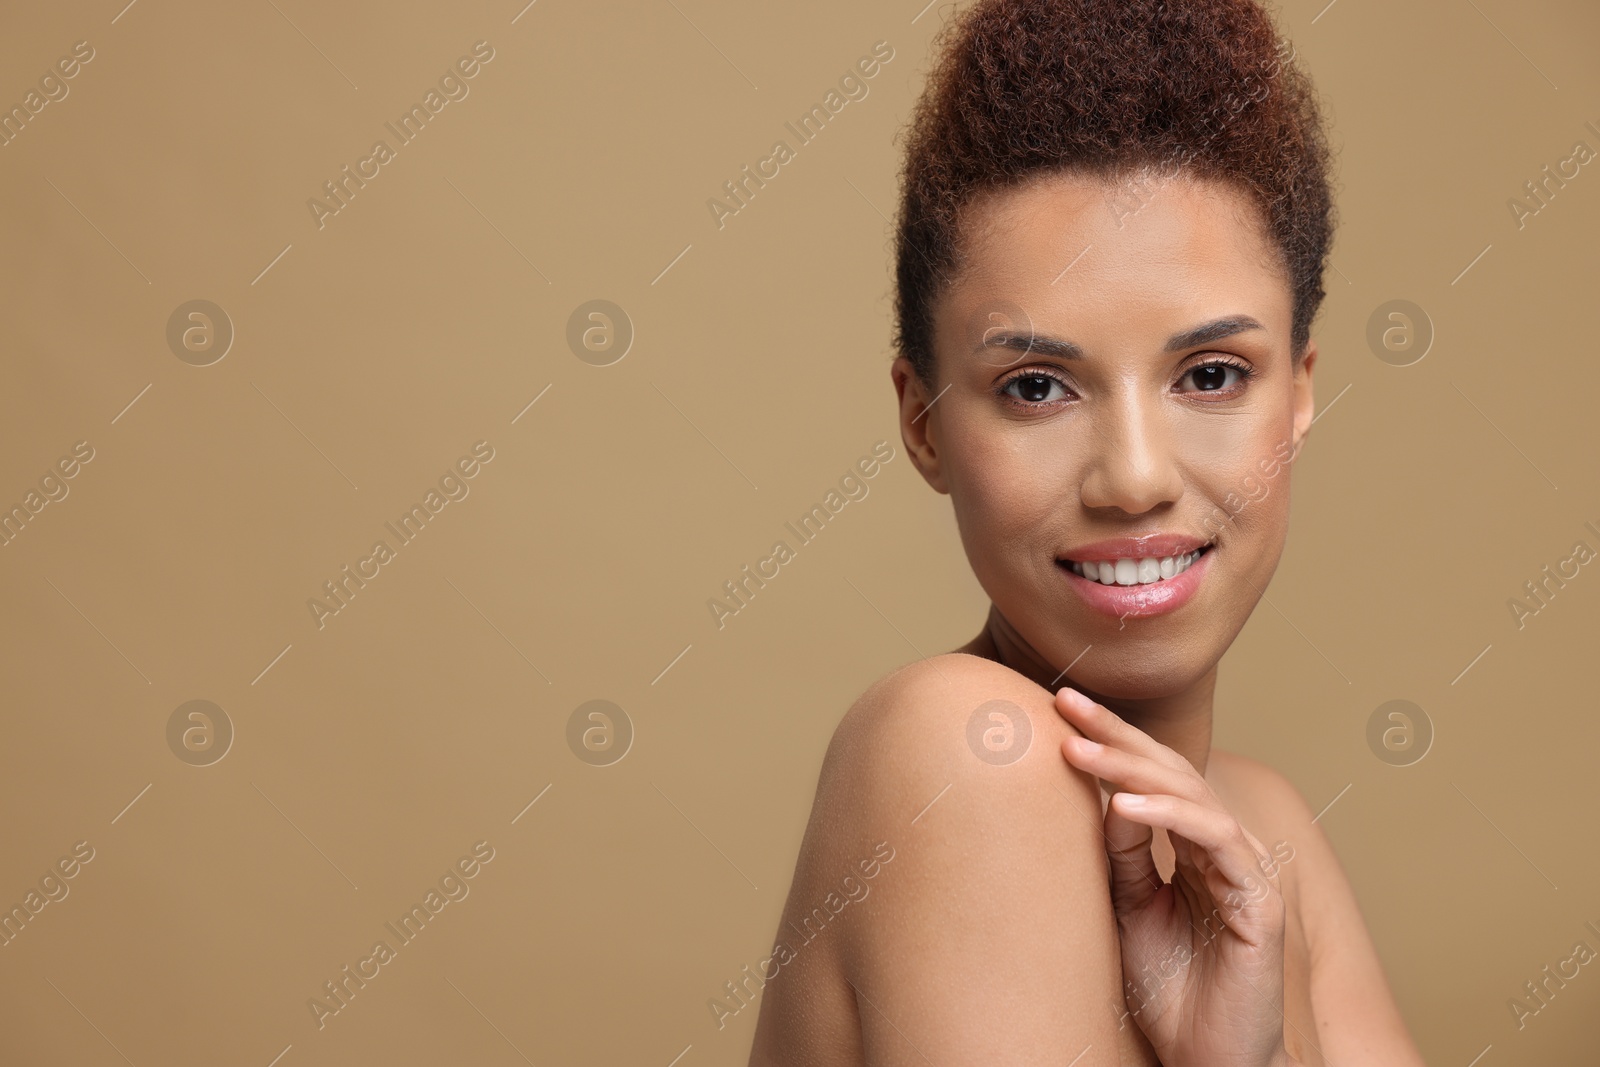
1178,721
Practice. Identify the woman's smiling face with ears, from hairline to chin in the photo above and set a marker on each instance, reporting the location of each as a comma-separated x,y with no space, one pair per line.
1114,394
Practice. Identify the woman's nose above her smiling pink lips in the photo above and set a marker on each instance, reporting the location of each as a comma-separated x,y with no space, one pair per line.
1132,465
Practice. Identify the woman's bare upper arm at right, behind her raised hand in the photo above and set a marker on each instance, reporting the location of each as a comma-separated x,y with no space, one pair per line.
1358,1020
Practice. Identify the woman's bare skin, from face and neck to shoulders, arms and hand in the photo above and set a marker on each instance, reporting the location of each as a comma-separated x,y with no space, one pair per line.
1028,917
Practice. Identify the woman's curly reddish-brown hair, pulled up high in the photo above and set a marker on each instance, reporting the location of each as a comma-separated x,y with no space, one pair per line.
1110,89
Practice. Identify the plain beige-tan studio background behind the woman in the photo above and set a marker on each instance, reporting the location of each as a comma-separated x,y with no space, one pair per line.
374,753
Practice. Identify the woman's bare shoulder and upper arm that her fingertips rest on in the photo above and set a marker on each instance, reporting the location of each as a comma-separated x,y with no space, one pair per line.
991,937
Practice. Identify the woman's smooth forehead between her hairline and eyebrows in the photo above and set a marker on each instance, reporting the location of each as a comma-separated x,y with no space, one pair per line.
1129,257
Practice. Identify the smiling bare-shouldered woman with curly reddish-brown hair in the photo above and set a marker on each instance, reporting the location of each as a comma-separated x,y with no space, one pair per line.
1110,255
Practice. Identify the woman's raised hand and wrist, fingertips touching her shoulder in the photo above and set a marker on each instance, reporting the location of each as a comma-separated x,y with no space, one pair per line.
1202,956
